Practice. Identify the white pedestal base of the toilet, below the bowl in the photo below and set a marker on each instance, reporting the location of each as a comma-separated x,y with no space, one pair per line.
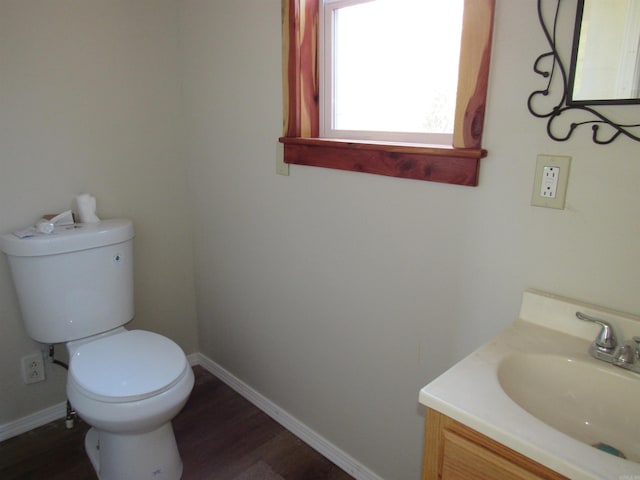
144,456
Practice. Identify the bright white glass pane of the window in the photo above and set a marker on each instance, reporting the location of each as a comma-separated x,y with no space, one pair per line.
396,65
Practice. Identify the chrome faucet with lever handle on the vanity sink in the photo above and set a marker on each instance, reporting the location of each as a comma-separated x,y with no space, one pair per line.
606,346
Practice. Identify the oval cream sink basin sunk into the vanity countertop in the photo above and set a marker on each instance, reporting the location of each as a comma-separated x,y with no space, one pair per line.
592,403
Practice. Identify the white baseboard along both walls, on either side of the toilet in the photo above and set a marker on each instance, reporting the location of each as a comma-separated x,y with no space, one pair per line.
288,421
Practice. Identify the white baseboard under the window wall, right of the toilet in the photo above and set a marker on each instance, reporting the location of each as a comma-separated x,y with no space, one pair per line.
295,426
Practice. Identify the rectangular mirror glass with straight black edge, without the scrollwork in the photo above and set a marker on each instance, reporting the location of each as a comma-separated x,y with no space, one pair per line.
605,61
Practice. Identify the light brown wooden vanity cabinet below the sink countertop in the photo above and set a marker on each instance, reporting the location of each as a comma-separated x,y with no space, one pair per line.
453,451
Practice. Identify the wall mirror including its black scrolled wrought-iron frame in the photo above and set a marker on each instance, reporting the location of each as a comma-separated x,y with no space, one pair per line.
588,97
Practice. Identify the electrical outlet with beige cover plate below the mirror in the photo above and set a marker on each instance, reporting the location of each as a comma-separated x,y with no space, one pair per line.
550,183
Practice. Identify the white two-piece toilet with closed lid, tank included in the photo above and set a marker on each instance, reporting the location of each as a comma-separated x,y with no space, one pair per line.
75,286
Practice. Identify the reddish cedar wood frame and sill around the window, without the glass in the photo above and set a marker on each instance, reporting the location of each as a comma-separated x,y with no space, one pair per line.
304,145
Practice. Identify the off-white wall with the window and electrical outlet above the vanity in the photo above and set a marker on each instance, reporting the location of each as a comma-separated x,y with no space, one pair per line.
338,295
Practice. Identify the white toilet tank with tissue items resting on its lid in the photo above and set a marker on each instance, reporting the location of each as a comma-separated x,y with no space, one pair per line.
75,282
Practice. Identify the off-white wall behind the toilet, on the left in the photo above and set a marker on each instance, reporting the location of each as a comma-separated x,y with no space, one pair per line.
90,101
